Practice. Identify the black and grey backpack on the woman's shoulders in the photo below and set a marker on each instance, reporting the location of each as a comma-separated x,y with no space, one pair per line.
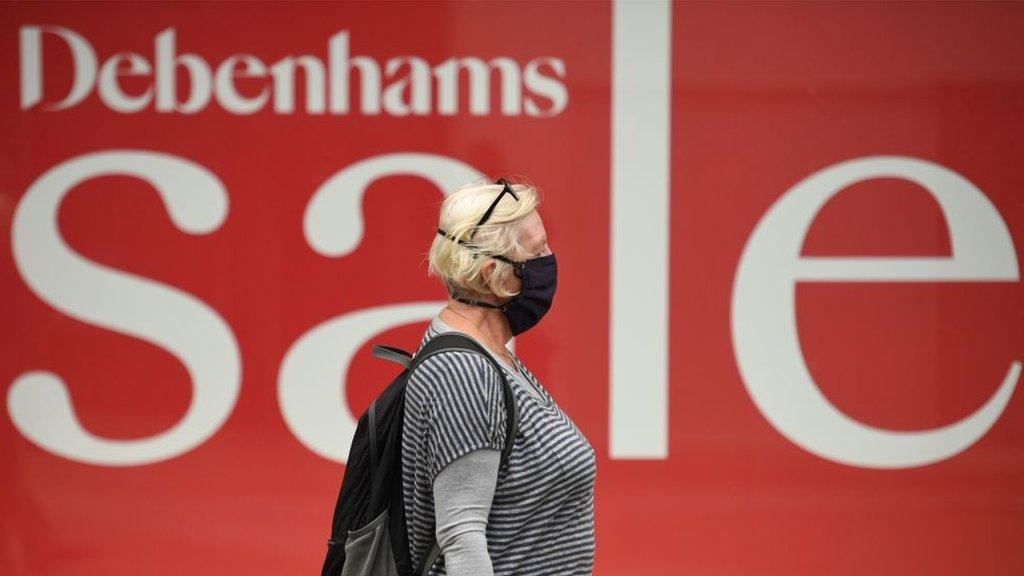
368,536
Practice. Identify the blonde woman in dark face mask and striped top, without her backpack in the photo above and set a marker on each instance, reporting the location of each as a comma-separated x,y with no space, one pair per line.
535,515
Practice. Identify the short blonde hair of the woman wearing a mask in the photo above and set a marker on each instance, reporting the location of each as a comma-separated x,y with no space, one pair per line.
459,266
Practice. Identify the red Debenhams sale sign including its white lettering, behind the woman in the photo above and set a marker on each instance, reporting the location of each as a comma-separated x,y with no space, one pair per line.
790,314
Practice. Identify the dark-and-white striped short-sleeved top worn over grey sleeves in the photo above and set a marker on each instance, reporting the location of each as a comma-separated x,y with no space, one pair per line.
542,516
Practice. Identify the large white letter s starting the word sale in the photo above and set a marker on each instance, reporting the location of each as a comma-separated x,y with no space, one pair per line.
38,401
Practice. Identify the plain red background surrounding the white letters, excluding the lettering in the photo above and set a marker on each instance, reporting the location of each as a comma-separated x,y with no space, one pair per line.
762,96
